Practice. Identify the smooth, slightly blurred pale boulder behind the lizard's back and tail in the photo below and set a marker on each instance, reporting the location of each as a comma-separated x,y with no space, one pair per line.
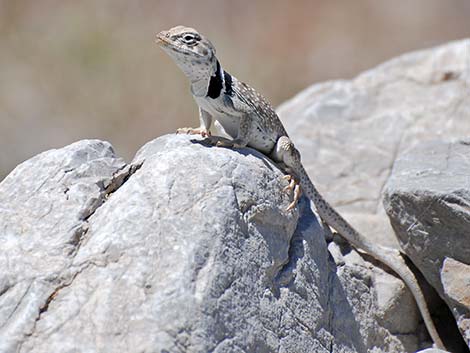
351,132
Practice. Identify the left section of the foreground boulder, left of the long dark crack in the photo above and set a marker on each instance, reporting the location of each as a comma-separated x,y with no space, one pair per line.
45,204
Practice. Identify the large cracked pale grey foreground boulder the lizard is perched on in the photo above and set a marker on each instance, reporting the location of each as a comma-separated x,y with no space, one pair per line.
187,249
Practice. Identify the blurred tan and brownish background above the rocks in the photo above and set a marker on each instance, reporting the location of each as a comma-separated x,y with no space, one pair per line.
72,70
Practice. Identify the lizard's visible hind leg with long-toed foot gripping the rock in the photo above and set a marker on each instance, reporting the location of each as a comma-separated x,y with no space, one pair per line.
286,154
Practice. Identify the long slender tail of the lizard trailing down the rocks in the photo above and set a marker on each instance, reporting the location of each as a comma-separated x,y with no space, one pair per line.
390,257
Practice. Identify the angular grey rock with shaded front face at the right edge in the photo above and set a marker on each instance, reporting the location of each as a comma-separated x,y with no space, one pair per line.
428,200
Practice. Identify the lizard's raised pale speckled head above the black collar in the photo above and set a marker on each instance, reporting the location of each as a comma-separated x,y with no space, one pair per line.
190,50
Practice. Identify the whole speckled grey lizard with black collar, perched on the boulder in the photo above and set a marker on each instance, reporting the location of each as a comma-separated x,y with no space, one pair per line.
249,119
